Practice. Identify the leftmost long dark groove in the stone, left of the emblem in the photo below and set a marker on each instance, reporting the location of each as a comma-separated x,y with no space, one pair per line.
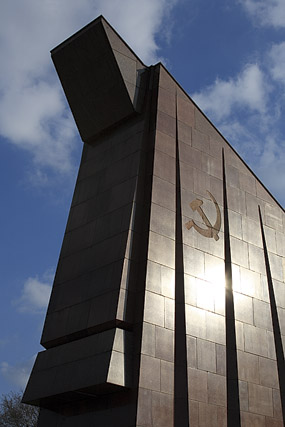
181,408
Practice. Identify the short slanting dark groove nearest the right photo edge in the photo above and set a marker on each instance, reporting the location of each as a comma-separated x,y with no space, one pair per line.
275,321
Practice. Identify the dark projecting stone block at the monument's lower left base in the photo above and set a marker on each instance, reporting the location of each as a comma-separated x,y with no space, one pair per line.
93,364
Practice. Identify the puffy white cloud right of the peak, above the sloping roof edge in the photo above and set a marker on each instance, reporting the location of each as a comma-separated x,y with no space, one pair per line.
248,90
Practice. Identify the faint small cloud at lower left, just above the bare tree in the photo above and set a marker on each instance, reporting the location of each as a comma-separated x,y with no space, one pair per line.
17,375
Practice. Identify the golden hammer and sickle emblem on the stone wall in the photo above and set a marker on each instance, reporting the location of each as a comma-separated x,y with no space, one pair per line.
212,230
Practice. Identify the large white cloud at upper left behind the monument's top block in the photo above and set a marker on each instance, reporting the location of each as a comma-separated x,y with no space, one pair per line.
33,111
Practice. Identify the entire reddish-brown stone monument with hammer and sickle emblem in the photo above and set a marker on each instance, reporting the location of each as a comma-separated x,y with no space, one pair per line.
160,314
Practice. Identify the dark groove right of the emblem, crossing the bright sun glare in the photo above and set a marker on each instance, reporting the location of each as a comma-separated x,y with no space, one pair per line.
233,403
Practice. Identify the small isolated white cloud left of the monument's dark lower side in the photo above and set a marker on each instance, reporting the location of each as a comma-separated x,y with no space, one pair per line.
35,294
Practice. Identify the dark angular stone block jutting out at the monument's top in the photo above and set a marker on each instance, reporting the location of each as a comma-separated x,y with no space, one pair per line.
101,78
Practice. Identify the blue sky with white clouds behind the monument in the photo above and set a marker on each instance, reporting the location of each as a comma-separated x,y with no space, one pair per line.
229,56
